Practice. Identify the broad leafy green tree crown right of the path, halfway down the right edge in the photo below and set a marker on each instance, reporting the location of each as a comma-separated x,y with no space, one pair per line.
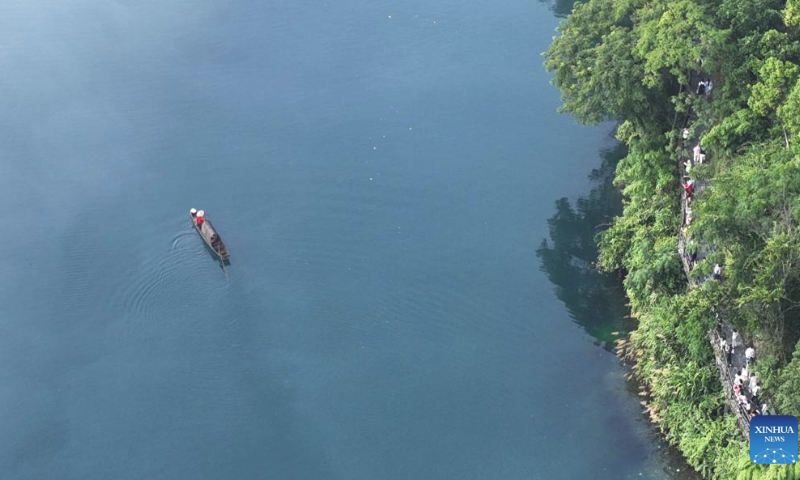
750,213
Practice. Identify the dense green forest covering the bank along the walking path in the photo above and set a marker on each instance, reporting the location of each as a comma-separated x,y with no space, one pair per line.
631,61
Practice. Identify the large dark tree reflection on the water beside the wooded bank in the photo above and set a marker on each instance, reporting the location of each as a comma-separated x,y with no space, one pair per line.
595,301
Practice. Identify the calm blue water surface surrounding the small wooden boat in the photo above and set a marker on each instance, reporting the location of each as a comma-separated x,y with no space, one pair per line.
383,174
